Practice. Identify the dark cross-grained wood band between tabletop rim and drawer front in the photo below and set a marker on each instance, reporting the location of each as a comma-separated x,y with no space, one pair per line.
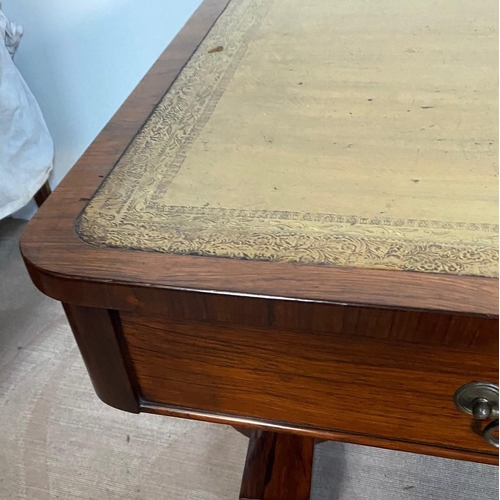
476,333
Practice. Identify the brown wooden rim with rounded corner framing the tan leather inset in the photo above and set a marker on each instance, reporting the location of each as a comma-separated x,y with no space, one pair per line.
54,253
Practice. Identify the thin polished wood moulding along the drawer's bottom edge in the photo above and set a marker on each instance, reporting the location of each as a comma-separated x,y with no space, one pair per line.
324,434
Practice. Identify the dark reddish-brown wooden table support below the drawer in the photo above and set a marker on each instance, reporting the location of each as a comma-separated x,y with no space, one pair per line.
278,467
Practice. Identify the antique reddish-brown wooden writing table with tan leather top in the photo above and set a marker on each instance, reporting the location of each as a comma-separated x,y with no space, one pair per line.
291,226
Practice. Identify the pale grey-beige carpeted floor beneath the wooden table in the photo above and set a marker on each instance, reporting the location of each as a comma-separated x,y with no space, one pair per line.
58,441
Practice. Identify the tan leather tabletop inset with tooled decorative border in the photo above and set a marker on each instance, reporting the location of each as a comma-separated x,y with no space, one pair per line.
340,133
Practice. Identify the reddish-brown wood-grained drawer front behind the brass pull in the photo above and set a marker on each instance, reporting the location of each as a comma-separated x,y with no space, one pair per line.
364,386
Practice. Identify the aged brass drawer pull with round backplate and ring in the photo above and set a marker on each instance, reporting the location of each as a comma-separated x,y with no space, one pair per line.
480,399
